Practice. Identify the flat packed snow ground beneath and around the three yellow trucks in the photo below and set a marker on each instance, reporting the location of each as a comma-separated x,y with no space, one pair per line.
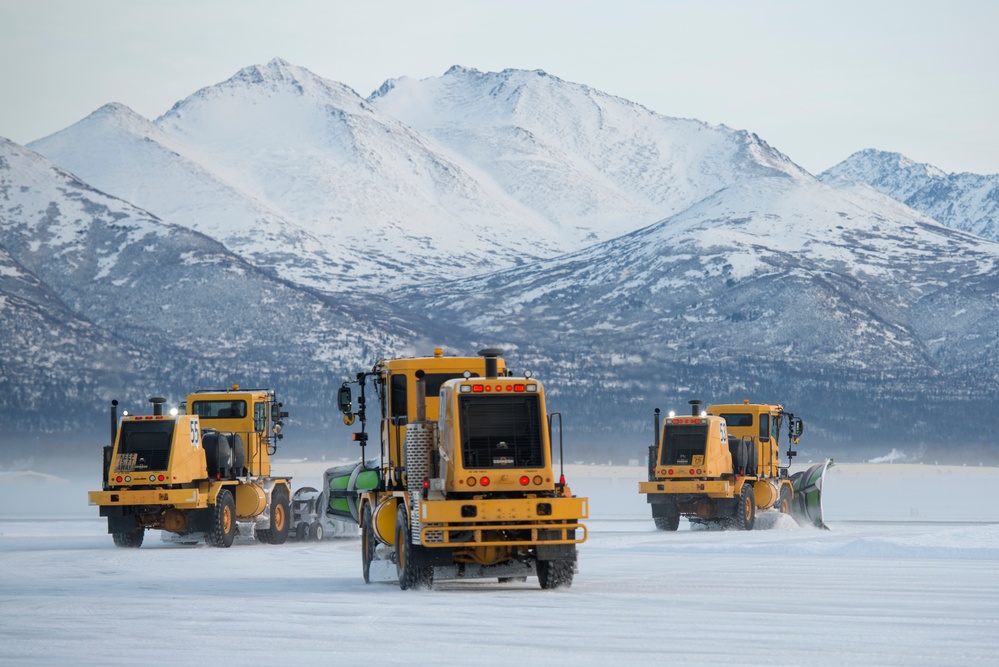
907,575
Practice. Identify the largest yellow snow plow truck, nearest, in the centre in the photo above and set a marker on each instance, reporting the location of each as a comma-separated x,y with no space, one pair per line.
465,483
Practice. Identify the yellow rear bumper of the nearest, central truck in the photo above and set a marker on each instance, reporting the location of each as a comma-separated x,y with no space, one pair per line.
503,522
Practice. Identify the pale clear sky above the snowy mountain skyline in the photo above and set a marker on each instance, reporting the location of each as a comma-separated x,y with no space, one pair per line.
816,80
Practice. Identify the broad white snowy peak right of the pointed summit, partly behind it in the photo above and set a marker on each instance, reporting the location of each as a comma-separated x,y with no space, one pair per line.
613,165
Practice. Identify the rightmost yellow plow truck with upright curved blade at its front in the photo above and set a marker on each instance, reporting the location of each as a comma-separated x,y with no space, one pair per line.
721,465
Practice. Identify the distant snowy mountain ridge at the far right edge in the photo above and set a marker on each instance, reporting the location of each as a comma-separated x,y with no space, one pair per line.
969,202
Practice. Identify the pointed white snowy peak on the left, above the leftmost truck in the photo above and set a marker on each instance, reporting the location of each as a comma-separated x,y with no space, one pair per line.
301,176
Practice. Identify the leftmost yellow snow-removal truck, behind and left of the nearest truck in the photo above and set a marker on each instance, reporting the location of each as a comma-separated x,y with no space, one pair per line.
201,472
